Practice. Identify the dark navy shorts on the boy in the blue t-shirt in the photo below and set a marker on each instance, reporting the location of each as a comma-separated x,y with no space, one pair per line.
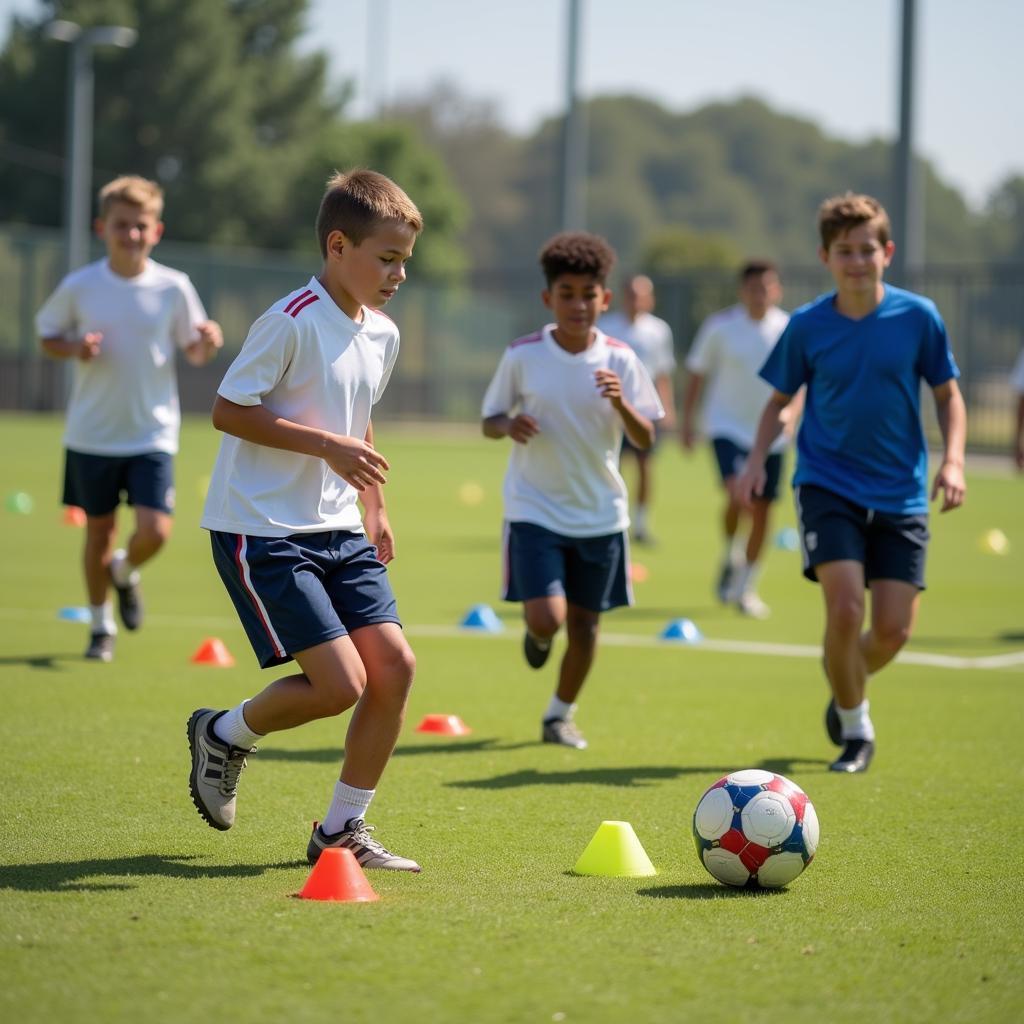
832,528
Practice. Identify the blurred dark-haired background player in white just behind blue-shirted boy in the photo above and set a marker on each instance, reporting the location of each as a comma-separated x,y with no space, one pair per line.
723,364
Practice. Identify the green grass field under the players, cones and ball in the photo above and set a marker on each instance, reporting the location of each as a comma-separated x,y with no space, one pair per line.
118,903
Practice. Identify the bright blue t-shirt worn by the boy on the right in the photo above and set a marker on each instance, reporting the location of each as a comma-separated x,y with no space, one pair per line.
862,435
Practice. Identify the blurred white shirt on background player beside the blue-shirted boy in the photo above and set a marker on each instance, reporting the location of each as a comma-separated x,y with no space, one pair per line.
730,351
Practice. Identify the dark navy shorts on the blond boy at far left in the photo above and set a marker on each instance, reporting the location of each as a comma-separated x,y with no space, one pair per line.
97,483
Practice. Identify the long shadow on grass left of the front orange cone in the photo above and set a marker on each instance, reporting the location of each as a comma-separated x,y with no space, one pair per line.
71,876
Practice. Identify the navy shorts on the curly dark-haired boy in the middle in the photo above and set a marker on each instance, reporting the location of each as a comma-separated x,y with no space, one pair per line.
591,573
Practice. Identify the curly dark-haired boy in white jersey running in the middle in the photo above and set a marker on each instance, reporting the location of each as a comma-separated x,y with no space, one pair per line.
566,396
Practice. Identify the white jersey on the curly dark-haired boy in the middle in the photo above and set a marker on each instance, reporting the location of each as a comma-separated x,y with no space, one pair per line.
567,478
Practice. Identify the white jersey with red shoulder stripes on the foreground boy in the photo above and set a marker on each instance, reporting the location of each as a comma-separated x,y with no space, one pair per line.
306,361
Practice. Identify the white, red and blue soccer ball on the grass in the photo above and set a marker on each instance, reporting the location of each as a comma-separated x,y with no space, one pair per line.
755,828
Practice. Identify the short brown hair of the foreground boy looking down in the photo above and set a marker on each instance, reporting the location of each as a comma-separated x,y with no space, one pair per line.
358,202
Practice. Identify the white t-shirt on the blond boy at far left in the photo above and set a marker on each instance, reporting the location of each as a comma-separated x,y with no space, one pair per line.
125,401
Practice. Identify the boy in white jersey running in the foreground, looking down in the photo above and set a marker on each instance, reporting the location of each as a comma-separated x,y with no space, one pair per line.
308,579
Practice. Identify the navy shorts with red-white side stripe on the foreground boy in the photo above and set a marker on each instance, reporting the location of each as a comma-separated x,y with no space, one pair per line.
295,592
